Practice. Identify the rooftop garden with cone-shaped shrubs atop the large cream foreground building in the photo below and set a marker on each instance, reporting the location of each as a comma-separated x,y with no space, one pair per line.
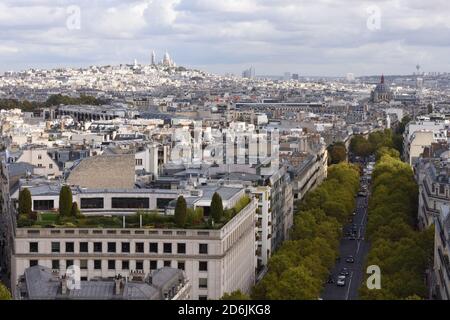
70,217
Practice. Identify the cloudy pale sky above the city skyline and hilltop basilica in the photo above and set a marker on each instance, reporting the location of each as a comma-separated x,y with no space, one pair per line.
309,37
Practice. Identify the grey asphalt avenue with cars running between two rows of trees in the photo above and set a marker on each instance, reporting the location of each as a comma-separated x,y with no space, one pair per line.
354,245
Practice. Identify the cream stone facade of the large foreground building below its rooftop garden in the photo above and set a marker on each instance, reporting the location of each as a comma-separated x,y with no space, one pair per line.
215,261
